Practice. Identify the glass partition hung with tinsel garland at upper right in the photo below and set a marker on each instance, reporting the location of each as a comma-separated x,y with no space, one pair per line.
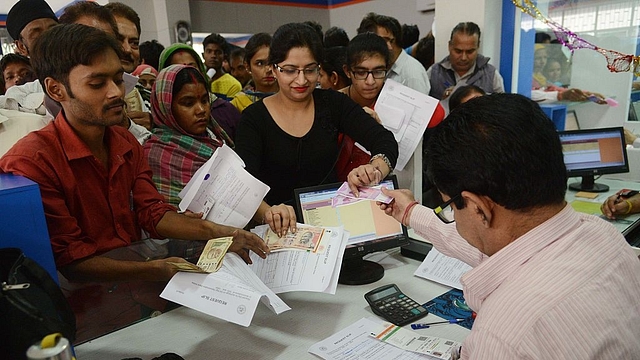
603,31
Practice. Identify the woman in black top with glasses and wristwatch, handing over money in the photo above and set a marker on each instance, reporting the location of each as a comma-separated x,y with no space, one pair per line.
289,139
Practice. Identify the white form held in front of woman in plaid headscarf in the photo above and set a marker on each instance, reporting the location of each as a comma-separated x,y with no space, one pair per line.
223,190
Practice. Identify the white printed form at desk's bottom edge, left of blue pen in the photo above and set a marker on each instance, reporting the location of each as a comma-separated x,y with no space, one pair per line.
356,342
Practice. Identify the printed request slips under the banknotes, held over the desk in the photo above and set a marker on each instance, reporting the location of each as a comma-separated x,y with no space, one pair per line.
232,293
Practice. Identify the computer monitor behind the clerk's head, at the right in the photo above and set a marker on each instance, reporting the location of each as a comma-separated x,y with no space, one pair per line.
590,152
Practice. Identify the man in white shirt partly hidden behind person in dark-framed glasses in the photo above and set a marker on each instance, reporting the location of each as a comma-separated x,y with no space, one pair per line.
404,69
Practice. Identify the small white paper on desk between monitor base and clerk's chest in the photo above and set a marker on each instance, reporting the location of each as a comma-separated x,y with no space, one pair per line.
442,269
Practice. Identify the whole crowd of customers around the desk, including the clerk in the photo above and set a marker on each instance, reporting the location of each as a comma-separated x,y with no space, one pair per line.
130,123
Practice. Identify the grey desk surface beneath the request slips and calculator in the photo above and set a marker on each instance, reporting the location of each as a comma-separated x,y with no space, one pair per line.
313,317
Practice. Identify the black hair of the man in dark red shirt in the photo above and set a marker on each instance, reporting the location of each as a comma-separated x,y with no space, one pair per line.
70,45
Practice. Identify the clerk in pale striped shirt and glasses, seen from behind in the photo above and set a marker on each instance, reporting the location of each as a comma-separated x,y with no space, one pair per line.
547,282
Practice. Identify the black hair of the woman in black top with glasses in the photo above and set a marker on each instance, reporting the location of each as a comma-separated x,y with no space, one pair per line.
293,35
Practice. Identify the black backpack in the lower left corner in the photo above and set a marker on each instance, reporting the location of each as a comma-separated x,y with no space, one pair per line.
31,305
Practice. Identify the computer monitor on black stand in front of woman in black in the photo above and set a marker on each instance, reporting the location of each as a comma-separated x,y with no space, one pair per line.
370,228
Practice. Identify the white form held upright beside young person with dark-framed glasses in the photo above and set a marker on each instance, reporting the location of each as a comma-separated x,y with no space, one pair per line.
405,112
